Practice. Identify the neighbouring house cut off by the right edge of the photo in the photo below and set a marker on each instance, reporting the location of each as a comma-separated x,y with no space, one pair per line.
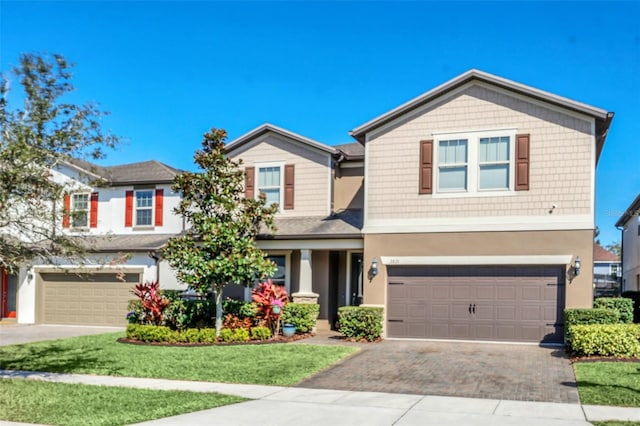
629,223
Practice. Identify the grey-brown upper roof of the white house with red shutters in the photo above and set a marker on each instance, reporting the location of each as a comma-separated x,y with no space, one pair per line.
144,172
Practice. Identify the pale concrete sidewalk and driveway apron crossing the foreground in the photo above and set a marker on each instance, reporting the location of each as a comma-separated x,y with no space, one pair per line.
274,405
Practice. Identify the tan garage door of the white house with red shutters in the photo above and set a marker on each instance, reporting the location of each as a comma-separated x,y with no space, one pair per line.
84,299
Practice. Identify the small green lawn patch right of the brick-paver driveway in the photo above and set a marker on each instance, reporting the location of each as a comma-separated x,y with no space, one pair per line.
608,383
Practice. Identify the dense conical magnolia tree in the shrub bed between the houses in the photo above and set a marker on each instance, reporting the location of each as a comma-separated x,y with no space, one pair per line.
219,246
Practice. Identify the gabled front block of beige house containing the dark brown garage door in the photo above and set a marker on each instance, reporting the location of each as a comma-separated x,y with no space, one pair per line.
479,198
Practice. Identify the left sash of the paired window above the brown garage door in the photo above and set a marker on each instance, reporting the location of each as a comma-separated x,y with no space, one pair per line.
452,165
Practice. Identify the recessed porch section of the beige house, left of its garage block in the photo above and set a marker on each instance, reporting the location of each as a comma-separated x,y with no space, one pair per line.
318,243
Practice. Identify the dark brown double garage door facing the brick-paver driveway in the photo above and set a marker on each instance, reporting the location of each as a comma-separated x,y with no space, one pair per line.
476,303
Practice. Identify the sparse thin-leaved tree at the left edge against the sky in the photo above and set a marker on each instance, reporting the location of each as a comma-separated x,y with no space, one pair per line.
36,137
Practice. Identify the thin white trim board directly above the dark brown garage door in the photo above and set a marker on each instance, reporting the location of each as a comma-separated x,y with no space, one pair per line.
560,259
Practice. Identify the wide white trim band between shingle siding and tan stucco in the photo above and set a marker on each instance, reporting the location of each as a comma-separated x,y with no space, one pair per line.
478,224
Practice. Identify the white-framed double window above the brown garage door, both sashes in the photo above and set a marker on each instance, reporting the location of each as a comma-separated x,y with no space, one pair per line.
475,162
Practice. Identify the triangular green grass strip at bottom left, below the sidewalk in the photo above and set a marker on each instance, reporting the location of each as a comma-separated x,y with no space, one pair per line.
33,401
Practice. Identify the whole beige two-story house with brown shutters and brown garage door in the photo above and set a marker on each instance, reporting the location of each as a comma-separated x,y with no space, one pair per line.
478,211
